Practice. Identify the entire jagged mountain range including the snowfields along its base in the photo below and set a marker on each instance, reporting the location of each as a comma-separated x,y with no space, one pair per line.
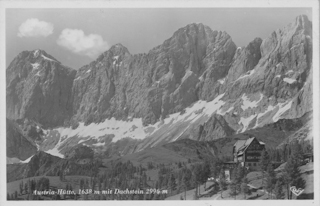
196,85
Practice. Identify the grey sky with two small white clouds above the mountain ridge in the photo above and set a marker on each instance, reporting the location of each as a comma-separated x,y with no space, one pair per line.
77,36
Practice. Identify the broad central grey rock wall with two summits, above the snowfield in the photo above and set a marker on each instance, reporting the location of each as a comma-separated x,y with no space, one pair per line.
182,70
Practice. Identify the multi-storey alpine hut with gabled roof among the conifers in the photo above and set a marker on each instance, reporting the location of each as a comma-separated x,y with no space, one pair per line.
248,152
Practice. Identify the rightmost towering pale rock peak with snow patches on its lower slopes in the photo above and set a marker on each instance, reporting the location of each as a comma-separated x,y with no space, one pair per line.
280,78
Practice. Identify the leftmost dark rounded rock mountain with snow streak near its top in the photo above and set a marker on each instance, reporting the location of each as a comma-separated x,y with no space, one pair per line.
39,88
